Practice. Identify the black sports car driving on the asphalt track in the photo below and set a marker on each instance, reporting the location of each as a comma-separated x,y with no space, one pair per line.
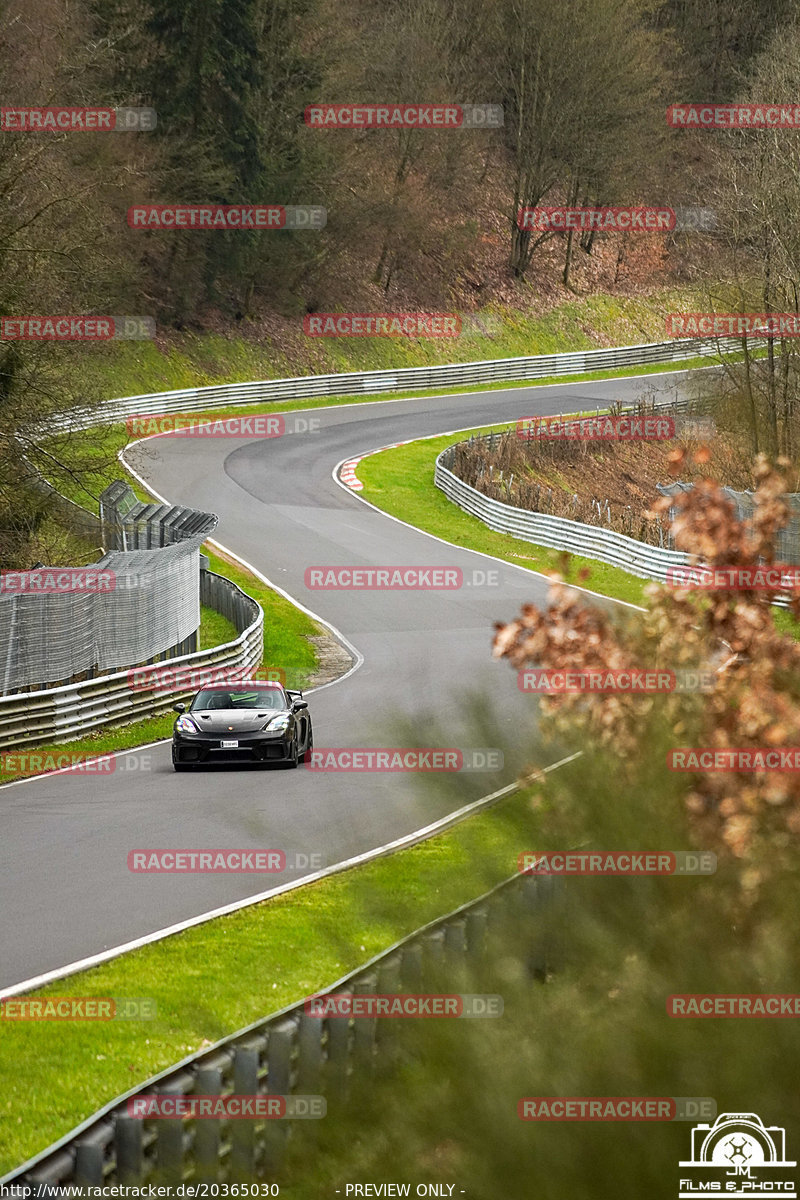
252,722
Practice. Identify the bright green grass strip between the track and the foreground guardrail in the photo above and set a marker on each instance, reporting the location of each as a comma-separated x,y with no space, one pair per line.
216,979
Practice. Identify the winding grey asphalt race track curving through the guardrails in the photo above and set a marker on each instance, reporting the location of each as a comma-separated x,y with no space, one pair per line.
65,889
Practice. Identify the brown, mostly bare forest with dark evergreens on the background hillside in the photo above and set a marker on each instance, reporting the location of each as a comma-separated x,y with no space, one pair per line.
584,86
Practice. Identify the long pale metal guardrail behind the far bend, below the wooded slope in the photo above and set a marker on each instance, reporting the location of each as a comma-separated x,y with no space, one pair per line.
366,382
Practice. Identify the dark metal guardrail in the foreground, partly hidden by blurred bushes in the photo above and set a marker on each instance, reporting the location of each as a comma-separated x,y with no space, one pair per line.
293,1053
